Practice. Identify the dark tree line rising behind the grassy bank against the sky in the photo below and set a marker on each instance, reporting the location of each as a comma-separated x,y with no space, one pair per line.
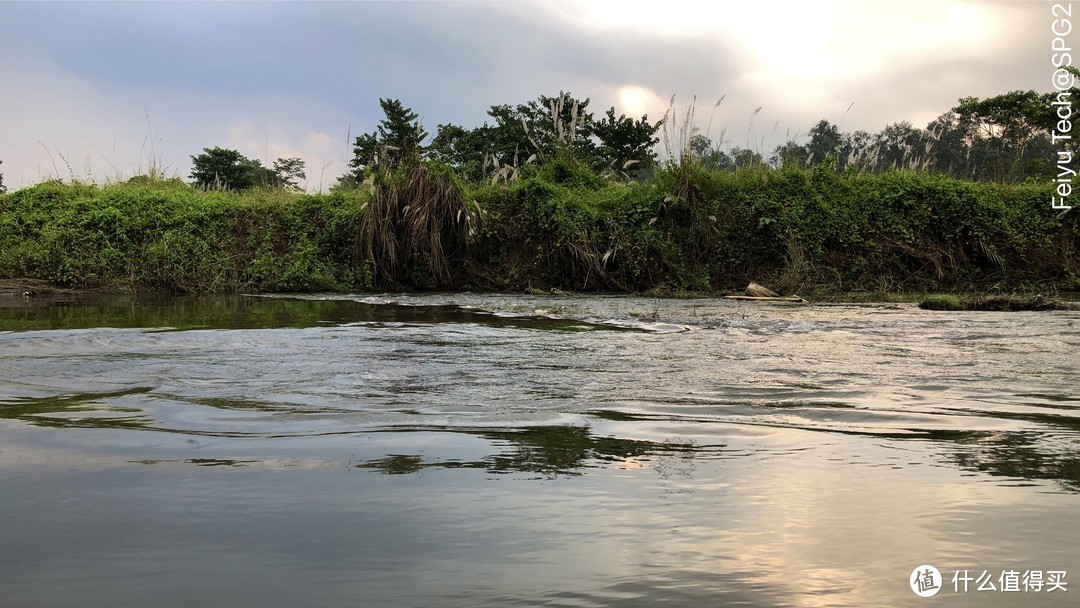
1002,139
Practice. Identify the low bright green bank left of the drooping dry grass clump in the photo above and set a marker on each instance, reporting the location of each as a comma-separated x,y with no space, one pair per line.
173,237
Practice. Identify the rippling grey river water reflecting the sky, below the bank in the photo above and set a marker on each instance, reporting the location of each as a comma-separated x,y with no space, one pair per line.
477,451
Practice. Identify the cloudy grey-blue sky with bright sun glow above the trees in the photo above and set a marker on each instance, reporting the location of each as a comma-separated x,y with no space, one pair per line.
103,91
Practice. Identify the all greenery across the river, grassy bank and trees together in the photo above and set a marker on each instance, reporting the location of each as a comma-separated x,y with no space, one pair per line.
548,197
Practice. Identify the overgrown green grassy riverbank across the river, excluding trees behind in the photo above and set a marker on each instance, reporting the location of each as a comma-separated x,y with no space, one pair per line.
687,229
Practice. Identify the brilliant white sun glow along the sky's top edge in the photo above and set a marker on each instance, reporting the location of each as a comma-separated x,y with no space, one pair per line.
834,39
